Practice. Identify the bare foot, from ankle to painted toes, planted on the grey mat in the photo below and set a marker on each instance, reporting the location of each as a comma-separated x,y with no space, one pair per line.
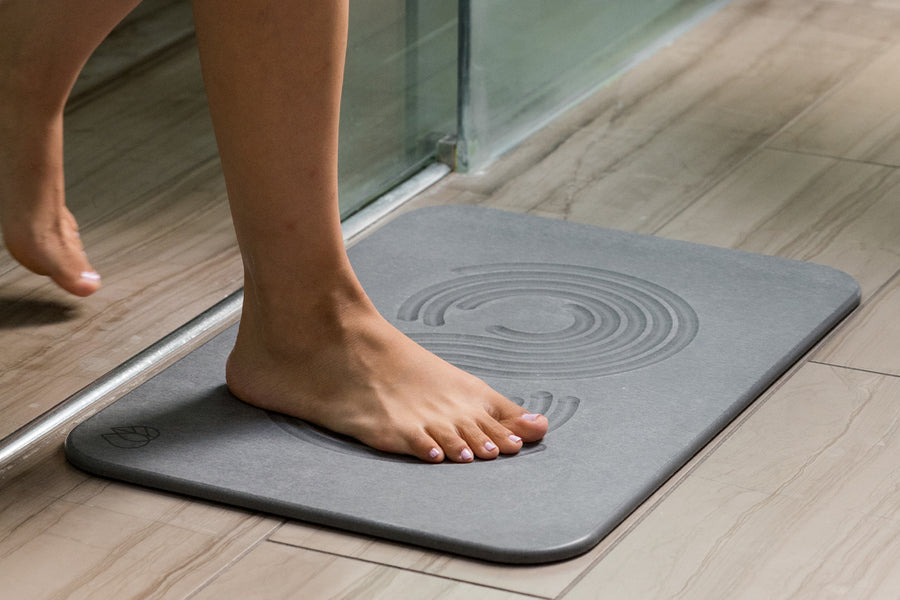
357,375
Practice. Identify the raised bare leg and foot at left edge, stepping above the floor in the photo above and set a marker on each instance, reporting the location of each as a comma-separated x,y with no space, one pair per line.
43,47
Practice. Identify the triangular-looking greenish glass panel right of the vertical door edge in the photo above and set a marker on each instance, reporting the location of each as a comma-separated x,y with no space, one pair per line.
525,61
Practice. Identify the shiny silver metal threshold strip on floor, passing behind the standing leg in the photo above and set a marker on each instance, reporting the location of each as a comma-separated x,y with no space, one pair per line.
17,444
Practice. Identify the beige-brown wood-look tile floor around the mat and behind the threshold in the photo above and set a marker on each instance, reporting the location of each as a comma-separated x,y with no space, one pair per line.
769,127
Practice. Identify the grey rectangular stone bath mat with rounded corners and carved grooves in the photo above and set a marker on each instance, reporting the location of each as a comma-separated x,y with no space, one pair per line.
638,349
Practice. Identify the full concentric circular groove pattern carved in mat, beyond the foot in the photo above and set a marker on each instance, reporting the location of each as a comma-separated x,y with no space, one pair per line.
617,322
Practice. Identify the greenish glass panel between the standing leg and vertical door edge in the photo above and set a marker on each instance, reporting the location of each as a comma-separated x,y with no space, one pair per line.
399,93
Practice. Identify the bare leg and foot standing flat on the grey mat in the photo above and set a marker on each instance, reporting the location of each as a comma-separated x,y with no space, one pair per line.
310,342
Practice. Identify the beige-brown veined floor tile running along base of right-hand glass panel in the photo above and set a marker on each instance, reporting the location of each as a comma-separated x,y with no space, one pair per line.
668,130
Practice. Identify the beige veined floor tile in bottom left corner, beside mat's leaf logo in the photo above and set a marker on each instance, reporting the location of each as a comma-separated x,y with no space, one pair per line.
64,534
